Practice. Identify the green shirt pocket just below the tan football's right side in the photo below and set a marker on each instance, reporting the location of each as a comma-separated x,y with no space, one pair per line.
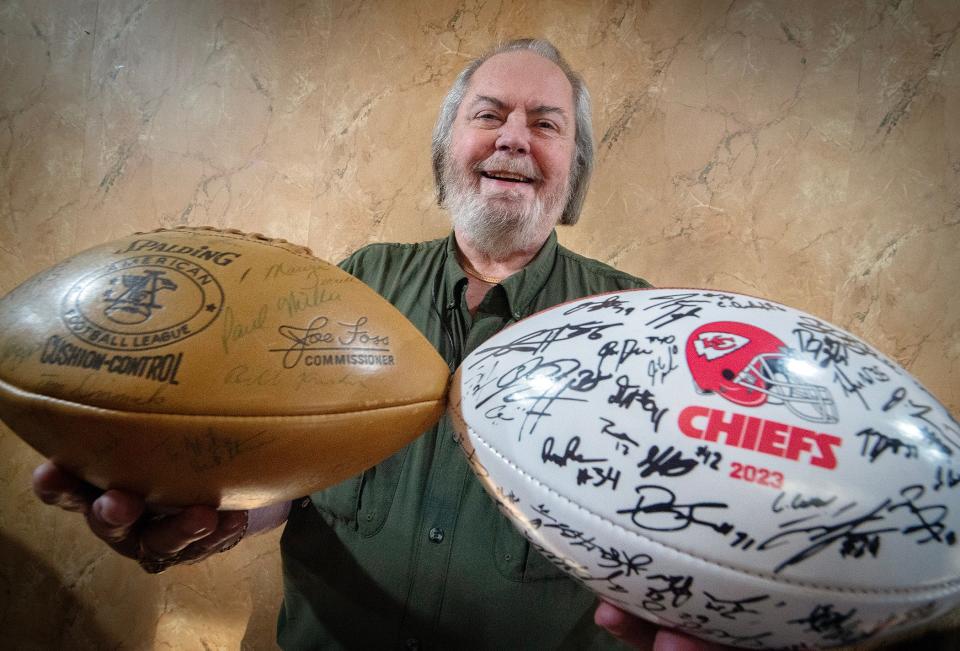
362,503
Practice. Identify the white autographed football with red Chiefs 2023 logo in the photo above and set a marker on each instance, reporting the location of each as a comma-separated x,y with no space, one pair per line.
720,464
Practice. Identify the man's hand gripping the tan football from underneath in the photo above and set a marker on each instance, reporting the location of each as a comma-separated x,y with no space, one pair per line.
123,521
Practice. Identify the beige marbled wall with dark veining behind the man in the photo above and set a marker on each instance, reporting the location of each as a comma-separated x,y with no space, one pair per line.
807,152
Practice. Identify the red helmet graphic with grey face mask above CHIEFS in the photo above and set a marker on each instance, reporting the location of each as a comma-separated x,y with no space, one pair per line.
749,366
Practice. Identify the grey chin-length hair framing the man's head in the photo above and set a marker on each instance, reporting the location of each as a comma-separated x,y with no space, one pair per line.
582,165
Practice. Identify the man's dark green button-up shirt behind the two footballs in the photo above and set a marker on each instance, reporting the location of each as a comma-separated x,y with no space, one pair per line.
413,553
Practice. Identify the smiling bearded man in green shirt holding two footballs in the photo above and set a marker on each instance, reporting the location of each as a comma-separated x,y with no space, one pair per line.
412,552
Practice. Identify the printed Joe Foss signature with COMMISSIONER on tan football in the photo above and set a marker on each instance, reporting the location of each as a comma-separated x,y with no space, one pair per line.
323,335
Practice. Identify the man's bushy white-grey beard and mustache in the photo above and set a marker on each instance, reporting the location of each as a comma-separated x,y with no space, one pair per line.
499,225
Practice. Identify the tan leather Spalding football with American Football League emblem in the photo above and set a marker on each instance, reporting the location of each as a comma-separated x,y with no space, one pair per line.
200,366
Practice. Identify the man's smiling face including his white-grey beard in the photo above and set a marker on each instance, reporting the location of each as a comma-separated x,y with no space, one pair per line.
508,169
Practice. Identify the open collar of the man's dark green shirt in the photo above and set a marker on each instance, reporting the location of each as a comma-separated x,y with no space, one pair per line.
521,289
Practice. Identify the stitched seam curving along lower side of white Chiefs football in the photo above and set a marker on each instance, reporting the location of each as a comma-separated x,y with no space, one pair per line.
945,588
